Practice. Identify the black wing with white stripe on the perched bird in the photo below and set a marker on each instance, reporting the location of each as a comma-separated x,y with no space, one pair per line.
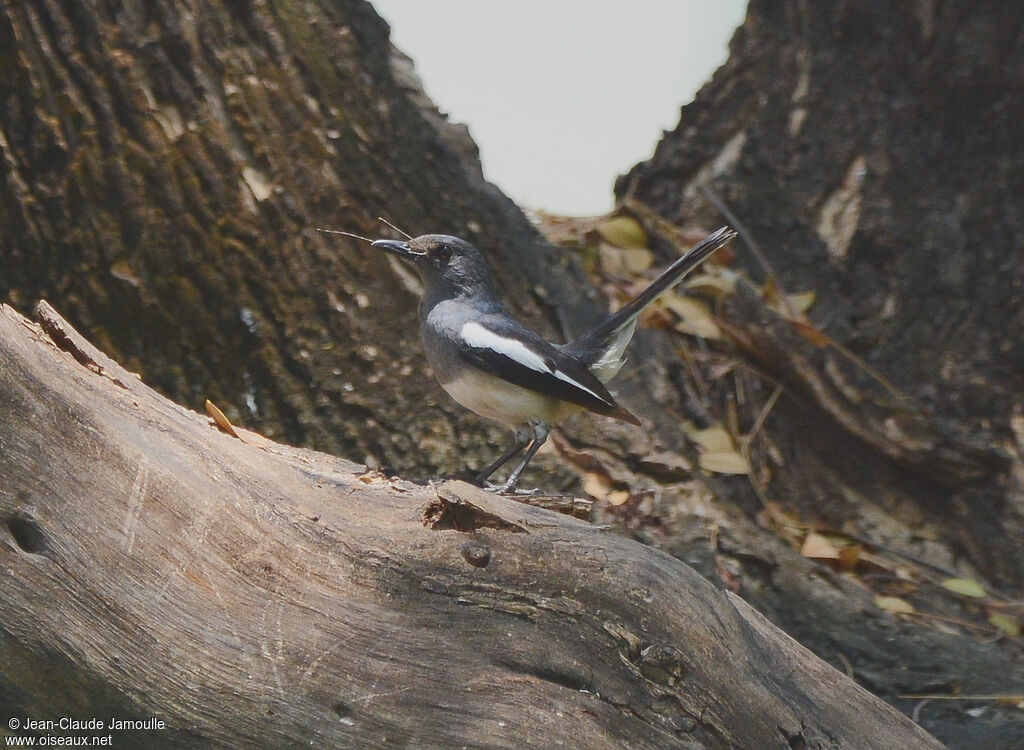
503,348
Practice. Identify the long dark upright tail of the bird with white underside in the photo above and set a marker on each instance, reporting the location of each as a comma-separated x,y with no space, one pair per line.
603,347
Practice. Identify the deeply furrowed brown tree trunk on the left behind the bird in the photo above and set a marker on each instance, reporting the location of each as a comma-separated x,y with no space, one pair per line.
167,164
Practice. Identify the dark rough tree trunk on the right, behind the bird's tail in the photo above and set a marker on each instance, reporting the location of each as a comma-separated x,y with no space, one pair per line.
874,155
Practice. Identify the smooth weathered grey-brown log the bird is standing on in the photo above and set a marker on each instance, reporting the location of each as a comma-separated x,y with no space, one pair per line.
268,597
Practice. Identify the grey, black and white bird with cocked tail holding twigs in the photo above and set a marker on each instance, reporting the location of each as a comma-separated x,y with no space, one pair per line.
497,367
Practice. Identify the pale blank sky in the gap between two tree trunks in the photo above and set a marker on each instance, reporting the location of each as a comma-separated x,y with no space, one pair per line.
564,96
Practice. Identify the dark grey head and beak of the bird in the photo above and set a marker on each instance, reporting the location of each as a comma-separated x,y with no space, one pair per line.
449,267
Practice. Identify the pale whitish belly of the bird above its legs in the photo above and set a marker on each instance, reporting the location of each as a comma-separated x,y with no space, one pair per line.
503,402
